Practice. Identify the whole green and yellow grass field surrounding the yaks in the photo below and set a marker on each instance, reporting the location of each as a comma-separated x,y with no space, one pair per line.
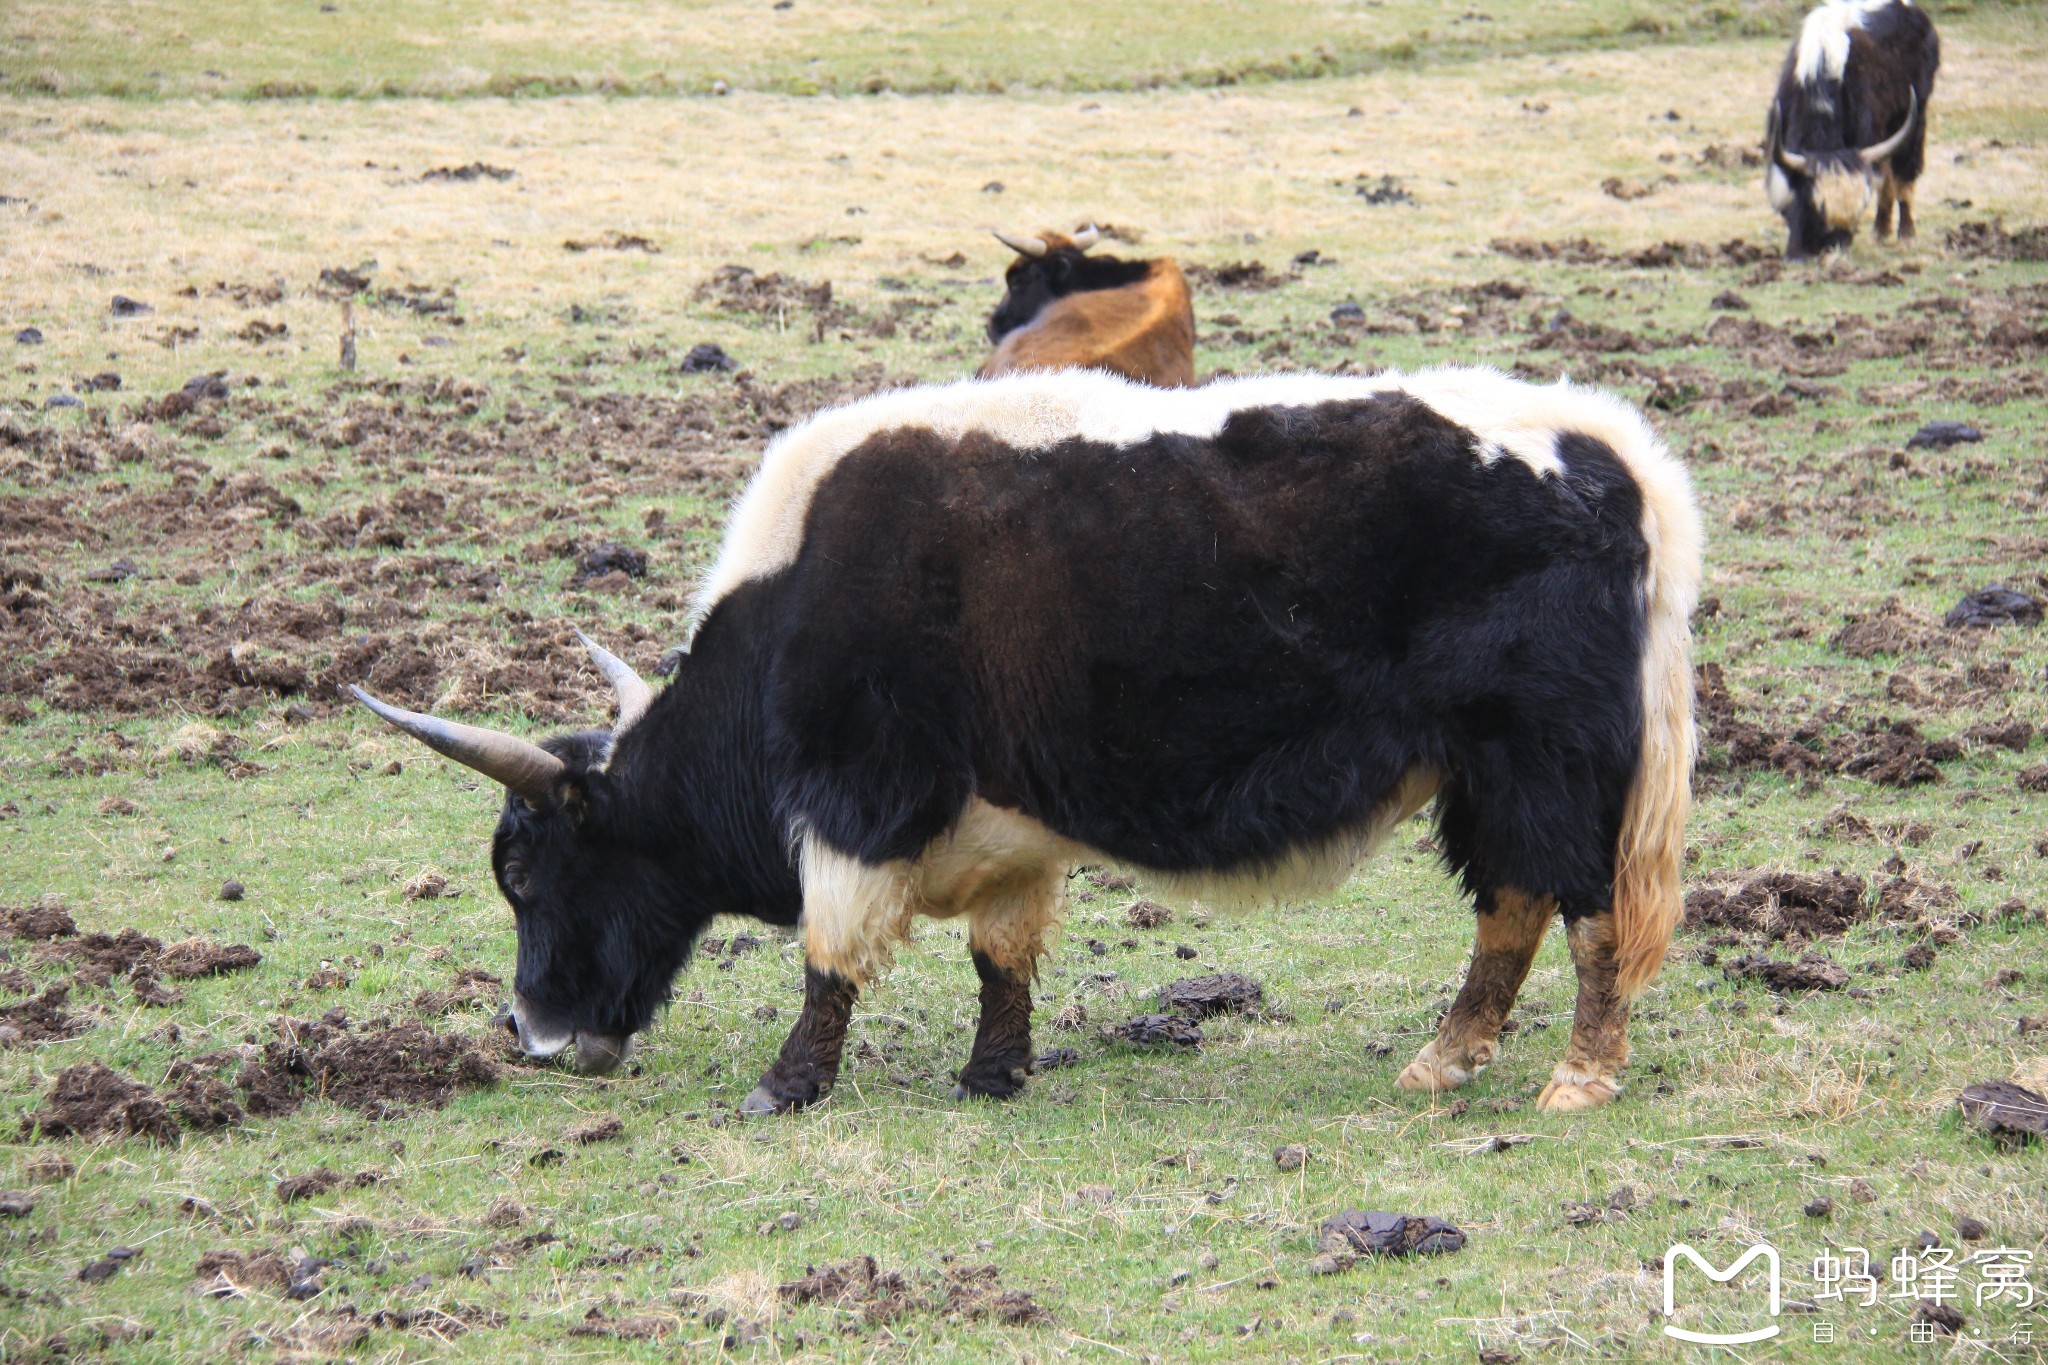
187,582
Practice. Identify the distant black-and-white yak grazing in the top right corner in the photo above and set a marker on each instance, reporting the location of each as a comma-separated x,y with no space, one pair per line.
1850,122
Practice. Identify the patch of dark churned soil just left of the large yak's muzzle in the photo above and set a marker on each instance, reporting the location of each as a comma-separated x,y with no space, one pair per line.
378,1073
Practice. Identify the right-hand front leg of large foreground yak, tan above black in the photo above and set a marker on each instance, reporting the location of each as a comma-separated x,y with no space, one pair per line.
1007,938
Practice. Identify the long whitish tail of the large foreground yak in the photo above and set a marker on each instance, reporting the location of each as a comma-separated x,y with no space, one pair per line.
1652,850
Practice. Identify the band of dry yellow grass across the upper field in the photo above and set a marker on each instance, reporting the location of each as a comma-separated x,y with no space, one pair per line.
165,195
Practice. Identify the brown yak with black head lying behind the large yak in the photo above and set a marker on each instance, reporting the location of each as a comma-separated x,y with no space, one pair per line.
1066,310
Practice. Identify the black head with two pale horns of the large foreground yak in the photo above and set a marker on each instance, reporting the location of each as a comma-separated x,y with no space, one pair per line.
595,908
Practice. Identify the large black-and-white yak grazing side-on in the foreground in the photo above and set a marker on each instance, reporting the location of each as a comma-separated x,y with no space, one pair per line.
970,637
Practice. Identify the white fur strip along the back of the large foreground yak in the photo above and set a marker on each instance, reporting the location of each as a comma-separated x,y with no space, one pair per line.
1041,410
